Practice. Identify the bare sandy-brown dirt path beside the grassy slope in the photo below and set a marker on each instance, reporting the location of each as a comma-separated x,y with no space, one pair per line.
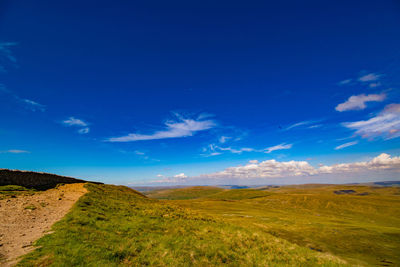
26,218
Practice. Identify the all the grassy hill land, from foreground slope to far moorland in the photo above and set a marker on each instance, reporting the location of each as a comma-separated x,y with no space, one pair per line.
301,225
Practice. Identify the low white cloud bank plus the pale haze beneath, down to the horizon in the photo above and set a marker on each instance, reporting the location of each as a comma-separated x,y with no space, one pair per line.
283,171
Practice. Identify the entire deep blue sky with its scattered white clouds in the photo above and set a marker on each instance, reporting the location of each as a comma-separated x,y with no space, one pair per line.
201,92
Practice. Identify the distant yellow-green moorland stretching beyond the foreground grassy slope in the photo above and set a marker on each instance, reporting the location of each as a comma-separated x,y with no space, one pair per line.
358,223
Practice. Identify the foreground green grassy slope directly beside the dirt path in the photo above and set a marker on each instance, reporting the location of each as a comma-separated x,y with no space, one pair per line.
117,226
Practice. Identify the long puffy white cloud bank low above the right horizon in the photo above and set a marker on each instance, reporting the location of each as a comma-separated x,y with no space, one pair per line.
276,169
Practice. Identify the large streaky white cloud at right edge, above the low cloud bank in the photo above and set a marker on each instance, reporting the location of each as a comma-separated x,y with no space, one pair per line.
385,124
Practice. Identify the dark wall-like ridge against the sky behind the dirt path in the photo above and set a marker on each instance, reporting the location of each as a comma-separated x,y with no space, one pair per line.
35,180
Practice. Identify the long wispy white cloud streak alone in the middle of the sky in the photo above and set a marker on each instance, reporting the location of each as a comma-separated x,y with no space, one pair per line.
174,129
